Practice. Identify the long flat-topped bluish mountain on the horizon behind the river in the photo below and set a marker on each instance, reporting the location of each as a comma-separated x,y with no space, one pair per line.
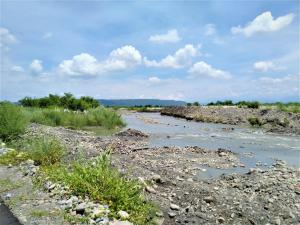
140,102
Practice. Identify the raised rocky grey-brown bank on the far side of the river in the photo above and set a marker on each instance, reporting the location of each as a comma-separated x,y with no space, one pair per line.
271,120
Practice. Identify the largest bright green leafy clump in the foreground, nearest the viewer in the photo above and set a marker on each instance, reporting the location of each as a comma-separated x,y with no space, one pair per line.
103,183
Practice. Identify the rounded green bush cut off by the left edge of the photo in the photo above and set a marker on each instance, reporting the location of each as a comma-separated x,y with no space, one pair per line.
12,121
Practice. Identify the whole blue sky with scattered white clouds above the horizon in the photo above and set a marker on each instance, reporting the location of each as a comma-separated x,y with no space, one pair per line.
182,50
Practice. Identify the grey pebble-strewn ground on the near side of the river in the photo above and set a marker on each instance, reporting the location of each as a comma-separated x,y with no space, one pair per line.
170,175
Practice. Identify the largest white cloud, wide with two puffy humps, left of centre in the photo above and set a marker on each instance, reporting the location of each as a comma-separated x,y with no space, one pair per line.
84,64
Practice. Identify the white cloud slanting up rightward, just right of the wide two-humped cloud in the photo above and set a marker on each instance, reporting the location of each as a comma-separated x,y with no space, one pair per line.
181,58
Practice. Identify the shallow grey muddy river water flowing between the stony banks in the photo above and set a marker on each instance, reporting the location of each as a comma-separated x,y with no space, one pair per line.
255,147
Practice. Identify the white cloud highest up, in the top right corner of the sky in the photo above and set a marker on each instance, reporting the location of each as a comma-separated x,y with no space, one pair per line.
264,23
